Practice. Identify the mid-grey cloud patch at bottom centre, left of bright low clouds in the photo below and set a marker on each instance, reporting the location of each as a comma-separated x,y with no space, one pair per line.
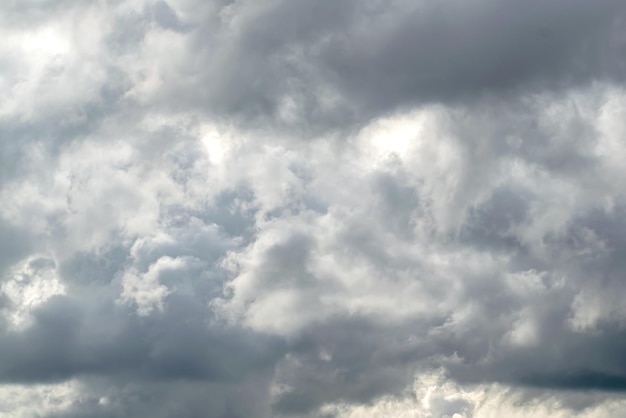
351,360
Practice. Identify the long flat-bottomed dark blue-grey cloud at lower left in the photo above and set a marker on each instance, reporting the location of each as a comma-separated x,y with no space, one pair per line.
66,341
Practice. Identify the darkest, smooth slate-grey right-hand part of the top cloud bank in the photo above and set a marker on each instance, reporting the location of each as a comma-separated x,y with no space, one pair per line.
452,51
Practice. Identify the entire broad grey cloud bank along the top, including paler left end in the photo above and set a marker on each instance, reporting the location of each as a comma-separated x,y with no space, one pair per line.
333,64
